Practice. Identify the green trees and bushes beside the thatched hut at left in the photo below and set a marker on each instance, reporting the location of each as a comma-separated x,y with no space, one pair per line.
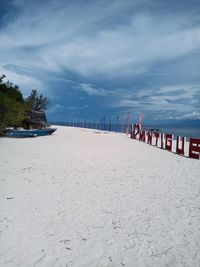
14,109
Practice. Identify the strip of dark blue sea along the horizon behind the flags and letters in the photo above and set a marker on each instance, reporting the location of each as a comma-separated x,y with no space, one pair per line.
188,130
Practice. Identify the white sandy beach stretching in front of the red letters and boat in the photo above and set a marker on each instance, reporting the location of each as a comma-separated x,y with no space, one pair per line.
87,198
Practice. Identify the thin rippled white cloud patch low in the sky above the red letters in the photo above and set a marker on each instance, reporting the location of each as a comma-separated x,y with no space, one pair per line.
180,98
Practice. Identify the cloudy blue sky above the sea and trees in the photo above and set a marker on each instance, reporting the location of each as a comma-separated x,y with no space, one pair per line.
97,57
